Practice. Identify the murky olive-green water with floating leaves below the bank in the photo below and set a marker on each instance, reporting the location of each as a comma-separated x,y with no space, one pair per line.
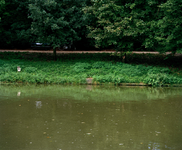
90,118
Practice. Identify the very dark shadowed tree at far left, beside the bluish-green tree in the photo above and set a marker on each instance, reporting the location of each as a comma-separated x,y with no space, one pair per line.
14,24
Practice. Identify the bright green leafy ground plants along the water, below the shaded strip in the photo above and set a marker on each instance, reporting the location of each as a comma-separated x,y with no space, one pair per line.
76,70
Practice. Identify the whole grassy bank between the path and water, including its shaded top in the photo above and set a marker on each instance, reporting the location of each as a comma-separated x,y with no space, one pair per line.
75,68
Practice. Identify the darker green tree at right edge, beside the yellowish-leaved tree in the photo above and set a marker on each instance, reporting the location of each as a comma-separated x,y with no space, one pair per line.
168,27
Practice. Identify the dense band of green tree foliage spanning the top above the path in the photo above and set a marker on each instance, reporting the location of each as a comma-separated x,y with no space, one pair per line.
150,25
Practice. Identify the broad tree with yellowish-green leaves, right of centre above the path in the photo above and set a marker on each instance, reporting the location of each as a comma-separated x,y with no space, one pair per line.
119,24
